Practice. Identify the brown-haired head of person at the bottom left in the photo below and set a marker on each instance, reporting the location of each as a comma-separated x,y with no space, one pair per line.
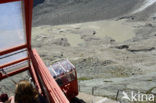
25,93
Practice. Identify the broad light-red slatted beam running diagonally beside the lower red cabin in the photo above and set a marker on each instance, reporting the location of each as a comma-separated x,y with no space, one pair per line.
55,93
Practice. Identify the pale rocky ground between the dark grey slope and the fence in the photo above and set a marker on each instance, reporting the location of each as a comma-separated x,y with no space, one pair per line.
105,63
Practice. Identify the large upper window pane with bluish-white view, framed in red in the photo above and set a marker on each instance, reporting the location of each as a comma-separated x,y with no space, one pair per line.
12,32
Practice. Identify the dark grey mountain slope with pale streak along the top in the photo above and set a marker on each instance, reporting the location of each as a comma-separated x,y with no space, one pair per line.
54,12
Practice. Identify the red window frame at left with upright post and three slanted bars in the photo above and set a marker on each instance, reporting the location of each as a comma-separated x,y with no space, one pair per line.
27,12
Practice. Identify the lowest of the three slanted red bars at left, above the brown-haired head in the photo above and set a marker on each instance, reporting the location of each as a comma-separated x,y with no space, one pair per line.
14,72
